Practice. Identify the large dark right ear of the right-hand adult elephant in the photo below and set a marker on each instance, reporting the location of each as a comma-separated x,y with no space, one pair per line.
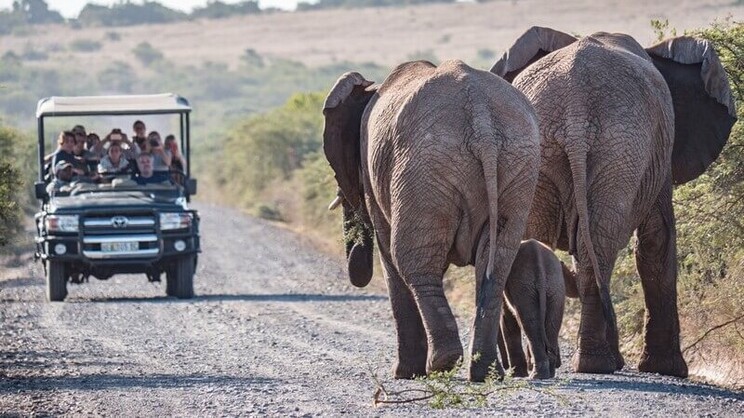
704,109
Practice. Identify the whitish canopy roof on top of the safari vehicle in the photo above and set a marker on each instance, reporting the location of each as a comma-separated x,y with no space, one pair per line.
143,104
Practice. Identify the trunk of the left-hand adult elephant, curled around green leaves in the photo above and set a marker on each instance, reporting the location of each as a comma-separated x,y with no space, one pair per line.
358,242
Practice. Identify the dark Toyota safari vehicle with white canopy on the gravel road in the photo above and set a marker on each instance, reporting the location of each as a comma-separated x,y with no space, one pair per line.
116,227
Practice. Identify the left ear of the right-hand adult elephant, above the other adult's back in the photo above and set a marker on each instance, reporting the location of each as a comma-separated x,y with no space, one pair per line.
534,44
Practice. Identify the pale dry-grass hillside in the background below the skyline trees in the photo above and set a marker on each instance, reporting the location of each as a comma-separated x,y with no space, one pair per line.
385,36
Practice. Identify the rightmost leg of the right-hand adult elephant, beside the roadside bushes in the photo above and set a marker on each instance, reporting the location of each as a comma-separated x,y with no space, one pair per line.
656,259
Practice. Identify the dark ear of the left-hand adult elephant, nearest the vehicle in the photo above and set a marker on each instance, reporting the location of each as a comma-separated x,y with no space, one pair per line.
343,109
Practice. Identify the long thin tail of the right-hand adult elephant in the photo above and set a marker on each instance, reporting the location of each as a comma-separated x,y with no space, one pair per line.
578,171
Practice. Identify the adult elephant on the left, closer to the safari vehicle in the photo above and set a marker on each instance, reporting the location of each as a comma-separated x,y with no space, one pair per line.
410,158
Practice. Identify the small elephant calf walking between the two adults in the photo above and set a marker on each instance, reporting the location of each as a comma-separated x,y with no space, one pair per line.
534,294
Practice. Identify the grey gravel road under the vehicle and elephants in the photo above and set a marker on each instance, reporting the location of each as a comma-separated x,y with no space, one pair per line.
275,330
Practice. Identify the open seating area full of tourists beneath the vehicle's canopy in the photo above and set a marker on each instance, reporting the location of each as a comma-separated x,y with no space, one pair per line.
104,153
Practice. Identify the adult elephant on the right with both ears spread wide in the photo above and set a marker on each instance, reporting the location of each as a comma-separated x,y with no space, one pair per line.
620,125
